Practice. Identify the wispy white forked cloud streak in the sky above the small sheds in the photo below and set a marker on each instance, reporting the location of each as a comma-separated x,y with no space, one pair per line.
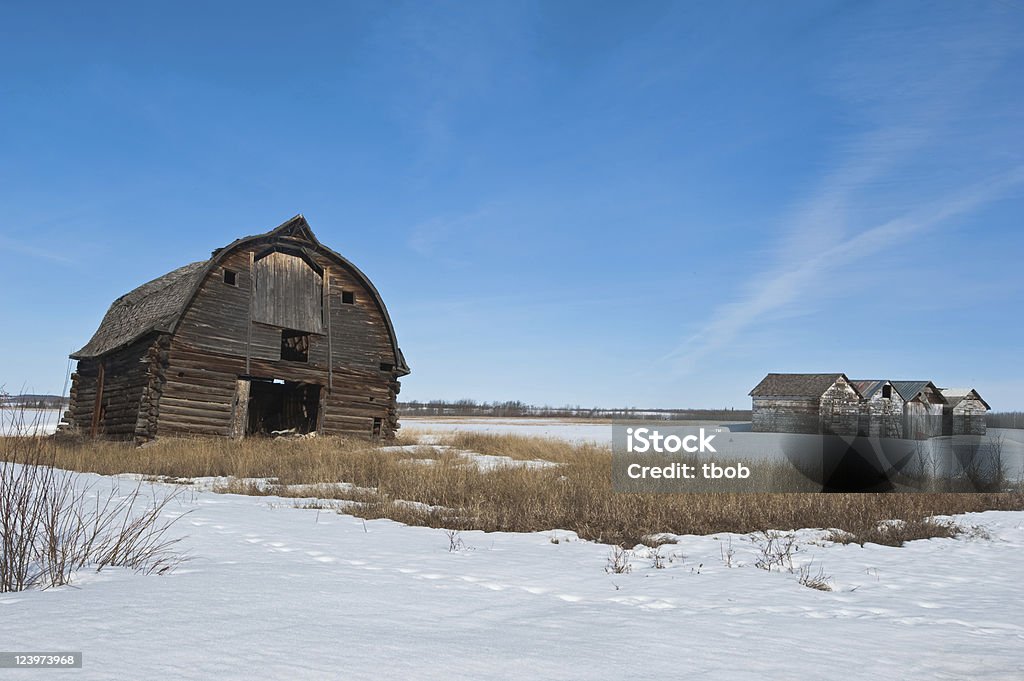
827,234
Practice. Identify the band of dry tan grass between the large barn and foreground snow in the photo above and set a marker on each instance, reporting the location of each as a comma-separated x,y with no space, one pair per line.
449,491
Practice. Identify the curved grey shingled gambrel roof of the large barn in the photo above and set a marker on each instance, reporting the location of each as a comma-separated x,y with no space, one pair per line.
158,307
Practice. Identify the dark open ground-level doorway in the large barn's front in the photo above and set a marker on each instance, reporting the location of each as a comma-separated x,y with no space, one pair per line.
279,408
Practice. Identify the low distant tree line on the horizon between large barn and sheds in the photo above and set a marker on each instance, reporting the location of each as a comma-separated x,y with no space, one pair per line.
520,409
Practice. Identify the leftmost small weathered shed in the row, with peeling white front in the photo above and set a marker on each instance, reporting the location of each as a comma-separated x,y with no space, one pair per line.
827,404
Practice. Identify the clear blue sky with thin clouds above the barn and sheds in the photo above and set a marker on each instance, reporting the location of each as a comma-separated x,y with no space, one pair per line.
605,204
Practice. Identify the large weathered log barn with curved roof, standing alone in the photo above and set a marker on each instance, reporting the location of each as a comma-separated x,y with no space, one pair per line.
274,333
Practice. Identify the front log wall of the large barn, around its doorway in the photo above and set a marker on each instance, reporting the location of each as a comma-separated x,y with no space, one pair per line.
207,357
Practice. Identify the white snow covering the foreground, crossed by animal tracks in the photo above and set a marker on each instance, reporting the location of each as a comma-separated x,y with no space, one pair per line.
277,592
